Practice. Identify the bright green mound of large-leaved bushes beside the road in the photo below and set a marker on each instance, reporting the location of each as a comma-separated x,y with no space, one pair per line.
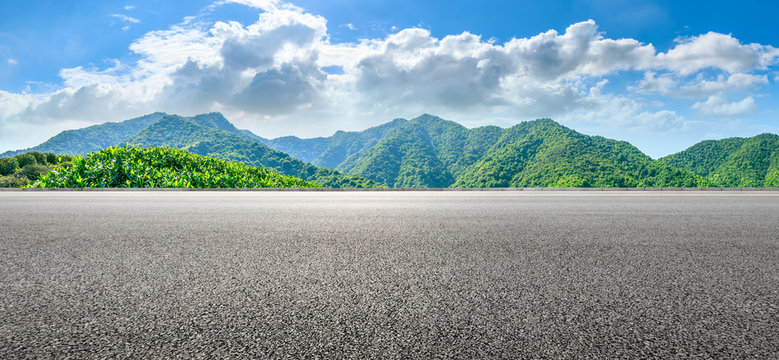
130,167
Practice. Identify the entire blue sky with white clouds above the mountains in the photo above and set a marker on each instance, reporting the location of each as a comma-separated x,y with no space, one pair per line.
656,73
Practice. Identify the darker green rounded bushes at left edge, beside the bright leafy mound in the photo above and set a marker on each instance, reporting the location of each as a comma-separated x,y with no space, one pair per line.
20,170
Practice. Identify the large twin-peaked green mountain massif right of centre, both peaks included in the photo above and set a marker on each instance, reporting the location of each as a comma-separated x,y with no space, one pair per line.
431,152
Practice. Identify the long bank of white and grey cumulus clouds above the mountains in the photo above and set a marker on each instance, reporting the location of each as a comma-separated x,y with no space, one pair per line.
268,75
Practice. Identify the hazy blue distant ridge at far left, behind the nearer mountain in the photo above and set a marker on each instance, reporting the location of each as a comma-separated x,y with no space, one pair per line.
92,138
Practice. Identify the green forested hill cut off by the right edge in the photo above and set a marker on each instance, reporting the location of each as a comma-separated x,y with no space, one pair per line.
733,162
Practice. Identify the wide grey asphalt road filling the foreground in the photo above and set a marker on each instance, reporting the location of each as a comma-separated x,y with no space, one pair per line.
149,275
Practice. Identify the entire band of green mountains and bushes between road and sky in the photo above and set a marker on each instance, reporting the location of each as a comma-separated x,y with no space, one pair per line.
162,150
